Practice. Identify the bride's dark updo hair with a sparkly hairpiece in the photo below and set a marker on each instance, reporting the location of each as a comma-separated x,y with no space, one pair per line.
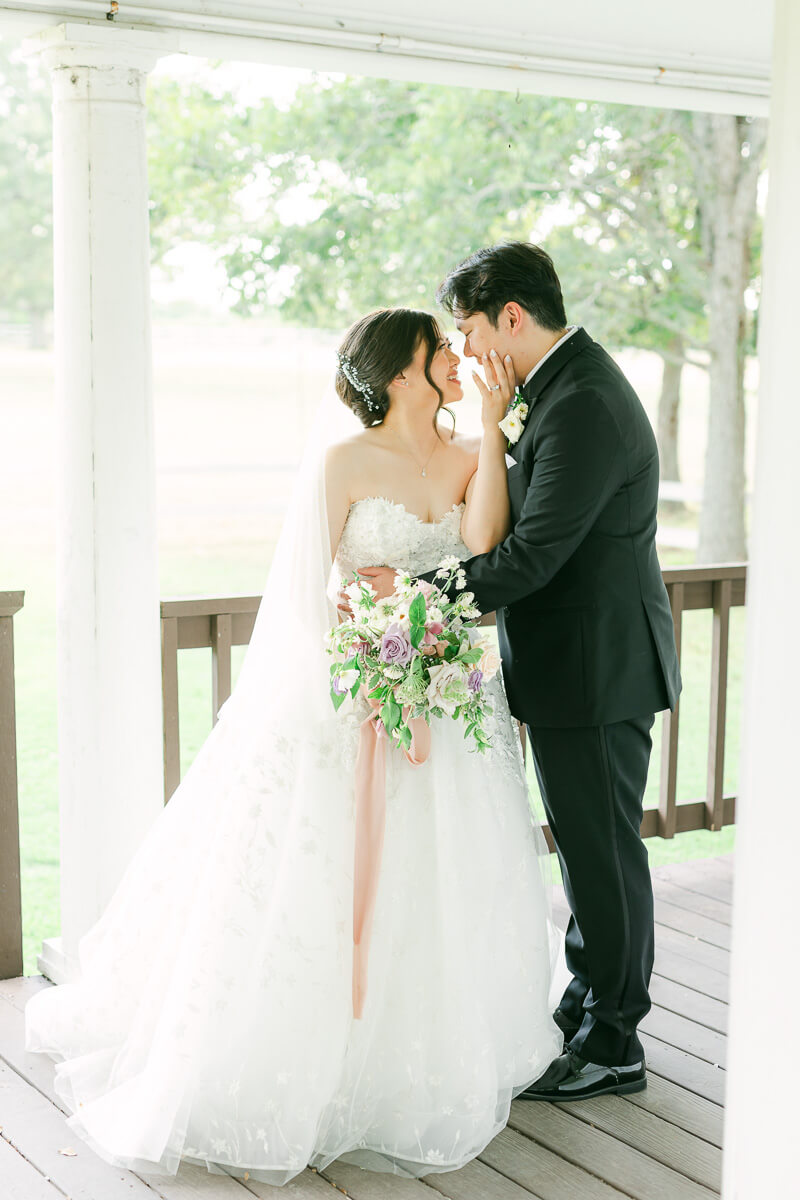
375,351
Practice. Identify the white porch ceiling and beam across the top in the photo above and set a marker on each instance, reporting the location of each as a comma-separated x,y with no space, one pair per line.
714,55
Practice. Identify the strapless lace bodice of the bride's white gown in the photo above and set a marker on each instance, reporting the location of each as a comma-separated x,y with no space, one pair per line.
382,533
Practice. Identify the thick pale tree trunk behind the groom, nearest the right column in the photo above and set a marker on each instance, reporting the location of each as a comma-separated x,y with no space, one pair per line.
729,212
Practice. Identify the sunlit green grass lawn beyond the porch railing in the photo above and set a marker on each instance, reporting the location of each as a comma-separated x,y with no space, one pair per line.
231,409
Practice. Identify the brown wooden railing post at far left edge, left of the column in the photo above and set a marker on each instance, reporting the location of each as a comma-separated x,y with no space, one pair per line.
11,926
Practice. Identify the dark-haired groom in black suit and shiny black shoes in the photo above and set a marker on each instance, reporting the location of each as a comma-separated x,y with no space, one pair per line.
587,640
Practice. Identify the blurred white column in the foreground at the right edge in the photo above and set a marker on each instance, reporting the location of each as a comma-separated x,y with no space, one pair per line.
761,1148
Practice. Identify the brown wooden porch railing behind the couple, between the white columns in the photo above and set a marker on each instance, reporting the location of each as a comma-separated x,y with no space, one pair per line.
228,622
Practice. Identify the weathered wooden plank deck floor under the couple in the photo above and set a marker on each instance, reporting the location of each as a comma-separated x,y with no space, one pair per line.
663,1144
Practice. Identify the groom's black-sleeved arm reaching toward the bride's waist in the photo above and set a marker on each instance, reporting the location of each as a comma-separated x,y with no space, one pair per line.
580,464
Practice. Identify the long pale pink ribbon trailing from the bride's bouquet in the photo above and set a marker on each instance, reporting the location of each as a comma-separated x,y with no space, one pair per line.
370,829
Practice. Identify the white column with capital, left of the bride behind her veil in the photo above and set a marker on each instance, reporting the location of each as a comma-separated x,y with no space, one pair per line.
109,627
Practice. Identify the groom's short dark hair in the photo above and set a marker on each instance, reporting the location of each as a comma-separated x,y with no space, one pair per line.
513,271
